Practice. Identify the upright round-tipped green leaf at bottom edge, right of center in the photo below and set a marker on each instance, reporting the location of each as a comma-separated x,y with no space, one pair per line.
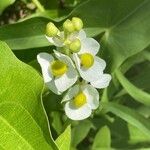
102,139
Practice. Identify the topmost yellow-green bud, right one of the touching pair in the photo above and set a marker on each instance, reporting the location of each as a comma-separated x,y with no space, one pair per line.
77,22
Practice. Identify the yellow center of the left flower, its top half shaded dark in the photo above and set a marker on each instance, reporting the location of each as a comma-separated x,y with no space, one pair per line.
58,68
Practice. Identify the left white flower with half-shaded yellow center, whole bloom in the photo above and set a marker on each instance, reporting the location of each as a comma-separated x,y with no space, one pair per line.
58,74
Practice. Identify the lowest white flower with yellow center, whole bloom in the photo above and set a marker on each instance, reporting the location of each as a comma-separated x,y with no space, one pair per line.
80,101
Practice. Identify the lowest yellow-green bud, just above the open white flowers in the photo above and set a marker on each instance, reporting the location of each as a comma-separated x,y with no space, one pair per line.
75,46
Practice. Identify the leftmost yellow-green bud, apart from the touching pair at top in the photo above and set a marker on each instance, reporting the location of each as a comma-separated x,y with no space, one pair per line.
51,30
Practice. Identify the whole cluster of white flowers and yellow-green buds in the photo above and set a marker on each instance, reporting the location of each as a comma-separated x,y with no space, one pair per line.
74,66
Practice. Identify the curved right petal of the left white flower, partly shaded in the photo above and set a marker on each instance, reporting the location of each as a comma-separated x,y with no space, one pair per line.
68,79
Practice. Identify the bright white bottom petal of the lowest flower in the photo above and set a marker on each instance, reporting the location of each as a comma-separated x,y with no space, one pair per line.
77,113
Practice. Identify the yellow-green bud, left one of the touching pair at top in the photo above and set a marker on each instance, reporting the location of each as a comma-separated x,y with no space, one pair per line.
68,26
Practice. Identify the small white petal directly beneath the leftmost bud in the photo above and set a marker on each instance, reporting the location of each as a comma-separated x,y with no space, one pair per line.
55,41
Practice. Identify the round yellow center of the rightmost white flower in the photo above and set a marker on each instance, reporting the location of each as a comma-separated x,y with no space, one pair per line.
87,60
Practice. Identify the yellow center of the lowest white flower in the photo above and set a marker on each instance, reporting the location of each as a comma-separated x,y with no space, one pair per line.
79,100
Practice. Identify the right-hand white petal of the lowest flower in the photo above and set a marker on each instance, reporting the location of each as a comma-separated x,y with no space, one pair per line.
92,95
